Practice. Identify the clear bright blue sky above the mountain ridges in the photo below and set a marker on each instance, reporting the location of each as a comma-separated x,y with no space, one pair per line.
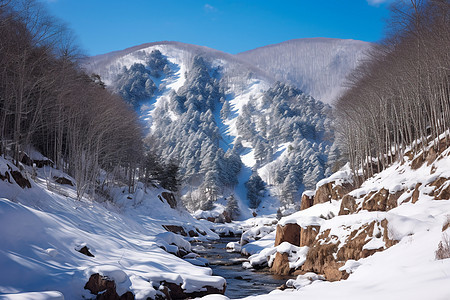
227,25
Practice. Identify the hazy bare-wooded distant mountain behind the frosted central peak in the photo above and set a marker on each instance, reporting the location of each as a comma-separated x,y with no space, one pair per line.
317,66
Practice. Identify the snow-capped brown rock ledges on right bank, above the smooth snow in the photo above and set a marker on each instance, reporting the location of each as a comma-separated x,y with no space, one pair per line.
394,205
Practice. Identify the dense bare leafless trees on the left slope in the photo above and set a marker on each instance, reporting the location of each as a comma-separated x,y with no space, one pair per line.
48,102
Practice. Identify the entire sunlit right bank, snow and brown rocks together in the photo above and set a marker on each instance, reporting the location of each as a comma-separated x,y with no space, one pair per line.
390,236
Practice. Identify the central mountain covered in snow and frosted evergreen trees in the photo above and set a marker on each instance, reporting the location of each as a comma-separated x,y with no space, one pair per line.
223,121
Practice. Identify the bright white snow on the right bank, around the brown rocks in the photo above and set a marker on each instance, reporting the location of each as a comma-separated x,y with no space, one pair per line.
408,269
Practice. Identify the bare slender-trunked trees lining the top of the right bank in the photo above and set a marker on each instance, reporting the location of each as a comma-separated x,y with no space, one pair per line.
399,98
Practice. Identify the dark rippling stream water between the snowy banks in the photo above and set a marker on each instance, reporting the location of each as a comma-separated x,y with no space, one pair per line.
240,282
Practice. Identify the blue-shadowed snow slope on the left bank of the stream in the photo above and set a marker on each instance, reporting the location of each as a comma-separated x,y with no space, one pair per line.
41,229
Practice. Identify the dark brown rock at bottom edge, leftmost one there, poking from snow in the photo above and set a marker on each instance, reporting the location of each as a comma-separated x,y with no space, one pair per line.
105,288
